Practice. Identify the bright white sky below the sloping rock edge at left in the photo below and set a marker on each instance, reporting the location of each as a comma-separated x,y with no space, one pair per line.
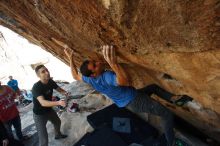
17,53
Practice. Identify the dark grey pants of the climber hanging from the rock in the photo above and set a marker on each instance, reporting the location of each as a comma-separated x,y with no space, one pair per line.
144,103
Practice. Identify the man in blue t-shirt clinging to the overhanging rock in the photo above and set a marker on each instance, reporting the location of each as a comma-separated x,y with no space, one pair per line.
117,86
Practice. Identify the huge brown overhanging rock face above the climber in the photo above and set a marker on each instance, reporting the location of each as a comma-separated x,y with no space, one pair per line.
172,43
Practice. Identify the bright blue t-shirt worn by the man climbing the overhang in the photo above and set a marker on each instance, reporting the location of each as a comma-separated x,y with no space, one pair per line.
106,83
